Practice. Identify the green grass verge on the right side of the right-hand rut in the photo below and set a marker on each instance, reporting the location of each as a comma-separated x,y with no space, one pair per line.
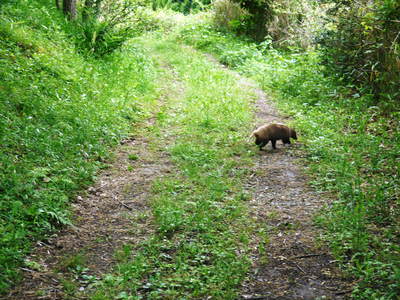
353,146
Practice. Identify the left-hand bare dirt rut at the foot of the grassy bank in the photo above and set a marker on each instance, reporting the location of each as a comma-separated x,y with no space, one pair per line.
67,263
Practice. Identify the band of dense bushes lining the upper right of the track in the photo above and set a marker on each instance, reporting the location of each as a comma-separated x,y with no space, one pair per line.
359,40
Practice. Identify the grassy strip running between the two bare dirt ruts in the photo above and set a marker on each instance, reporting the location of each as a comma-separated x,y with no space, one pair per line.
200,246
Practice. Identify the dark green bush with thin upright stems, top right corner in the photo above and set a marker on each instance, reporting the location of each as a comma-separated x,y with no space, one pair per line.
363,45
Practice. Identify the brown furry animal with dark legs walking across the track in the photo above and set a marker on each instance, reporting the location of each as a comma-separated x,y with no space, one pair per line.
273,132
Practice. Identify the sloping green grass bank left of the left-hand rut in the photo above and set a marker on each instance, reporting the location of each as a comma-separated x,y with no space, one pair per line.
60,113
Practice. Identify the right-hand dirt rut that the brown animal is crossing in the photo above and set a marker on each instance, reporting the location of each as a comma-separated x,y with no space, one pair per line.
293,265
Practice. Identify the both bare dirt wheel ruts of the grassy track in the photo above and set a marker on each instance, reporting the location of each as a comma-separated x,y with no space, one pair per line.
291,265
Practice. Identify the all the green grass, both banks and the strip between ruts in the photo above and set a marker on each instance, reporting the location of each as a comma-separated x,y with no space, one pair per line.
60,112
